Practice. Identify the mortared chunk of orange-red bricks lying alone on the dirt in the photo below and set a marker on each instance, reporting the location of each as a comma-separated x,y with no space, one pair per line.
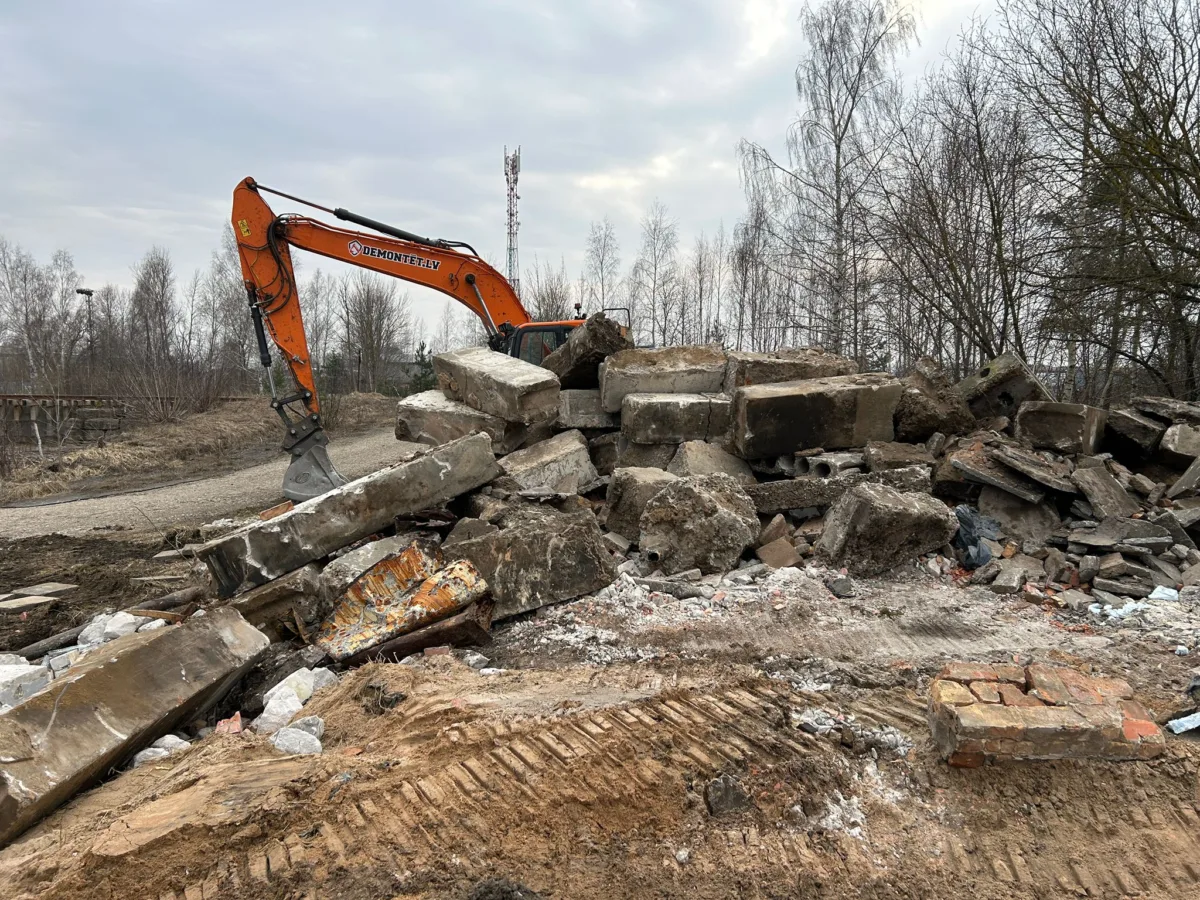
981,713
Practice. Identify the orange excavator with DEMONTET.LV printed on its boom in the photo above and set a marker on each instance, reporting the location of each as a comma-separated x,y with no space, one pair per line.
454,268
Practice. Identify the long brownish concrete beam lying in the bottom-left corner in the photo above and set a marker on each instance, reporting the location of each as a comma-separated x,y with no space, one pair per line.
113,704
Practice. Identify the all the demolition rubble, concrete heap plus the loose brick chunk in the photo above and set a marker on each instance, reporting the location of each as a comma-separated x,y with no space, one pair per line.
518,487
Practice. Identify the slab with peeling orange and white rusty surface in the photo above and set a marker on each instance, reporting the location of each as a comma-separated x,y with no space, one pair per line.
395,597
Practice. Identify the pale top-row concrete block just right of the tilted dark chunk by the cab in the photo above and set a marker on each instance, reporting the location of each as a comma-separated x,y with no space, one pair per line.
669,370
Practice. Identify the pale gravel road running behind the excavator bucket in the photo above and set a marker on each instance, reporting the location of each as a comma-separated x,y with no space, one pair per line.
193,502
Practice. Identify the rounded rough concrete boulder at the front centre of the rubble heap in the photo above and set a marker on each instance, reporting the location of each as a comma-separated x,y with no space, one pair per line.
699,523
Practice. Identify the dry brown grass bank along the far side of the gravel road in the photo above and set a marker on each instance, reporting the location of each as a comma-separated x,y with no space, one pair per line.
199,443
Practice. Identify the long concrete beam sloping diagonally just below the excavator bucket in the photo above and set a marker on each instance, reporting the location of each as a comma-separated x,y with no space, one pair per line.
266,551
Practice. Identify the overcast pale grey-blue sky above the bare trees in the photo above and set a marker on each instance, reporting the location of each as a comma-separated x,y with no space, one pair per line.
128,123
